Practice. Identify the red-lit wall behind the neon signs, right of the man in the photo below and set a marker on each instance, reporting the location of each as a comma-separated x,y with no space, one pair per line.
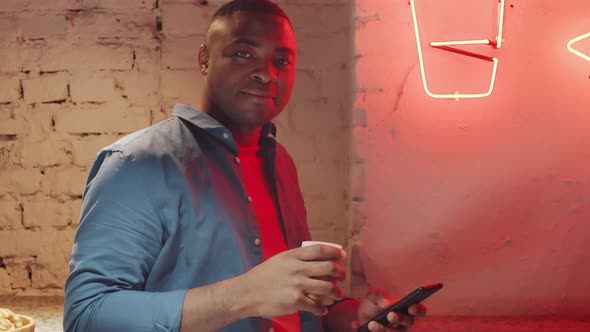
490,196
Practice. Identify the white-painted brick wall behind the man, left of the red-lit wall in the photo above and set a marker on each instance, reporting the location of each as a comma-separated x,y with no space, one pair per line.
77,75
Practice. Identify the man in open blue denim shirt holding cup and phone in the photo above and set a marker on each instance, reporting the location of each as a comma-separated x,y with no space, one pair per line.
195,224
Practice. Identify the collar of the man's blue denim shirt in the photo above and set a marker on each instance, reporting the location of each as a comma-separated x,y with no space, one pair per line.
213,127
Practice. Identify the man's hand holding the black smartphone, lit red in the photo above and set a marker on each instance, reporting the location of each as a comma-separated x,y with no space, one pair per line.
379,300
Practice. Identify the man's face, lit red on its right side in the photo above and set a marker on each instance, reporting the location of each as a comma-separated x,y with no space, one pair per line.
250,67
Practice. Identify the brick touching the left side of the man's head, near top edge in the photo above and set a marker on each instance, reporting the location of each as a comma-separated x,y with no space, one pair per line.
185,19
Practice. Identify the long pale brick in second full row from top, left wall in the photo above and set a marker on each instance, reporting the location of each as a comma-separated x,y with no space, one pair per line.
86,58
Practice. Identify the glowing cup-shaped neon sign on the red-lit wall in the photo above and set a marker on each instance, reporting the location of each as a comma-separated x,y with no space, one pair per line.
449,46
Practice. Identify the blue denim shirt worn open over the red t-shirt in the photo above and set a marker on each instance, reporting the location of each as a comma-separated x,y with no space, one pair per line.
164,211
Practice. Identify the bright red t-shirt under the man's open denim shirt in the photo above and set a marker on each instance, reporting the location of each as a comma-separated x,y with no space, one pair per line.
259,188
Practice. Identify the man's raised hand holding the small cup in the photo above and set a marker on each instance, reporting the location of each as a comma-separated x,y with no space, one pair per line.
281,284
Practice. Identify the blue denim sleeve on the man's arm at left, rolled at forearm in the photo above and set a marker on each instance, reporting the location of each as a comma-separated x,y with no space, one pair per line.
119,238
